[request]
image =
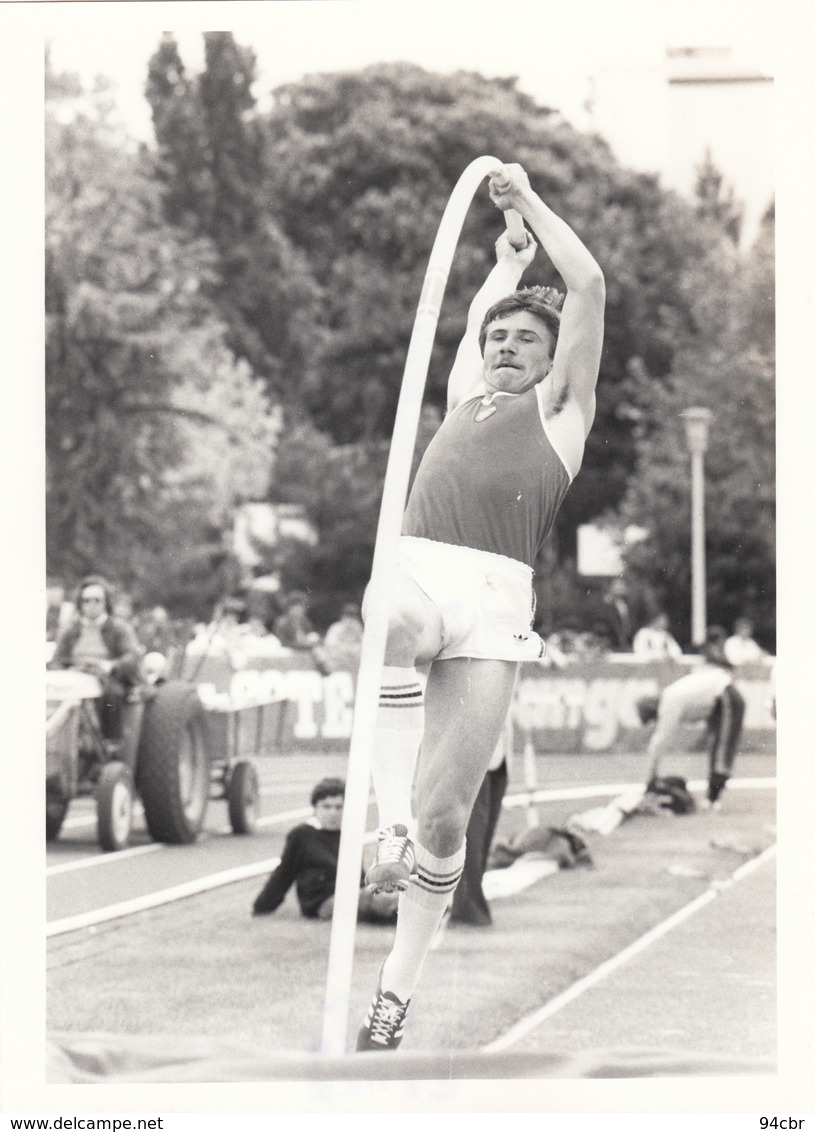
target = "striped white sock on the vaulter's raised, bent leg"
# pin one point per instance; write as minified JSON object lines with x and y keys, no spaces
{"x":398,"y":736}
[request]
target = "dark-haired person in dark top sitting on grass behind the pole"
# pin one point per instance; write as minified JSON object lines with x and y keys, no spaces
{"x":310,"y":862}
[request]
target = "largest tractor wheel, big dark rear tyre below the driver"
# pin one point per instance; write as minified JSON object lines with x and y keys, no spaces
{"x":174,"y":766}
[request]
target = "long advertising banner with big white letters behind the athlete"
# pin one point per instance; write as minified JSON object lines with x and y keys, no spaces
{"x":282,"y":704}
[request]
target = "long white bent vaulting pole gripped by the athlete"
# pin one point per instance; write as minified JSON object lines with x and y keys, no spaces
{"x":378,"y":604}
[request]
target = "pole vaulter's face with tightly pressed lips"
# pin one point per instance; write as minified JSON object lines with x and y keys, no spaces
{"x":518,"y":353}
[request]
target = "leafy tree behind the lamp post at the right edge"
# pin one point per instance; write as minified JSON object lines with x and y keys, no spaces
{"x":726,"y":366}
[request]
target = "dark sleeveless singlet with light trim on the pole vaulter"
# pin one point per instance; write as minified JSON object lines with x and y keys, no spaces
{"x":495,"y":485}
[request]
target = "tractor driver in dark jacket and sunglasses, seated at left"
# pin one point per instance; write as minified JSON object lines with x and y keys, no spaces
{"x":98,"y":642}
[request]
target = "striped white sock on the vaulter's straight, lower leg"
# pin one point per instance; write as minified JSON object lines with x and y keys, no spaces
{"x":422,"y":908}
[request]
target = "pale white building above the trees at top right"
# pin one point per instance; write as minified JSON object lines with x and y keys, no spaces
{"x":665,"y":119}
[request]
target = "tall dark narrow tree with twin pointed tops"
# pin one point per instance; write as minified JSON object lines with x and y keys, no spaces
{"x":212,"y":161}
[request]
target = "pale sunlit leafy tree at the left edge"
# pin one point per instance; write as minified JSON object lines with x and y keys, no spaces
{"x":138,"y":371}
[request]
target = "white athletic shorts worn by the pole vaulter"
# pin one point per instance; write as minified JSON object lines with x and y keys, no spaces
{"x":486,"y":601}
